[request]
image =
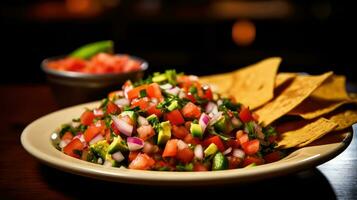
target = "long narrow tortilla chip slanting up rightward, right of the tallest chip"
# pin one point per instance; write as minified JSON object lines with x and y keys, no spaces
{"x":290,"y":97}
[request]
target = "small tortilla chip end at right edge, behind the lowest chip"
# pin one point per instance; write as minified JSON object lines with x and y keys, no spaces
{"x":344,"y":119}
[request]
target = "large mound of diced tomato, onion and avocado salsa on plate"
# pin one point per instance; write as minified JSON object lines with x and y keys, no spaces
{"x":169,"y":122}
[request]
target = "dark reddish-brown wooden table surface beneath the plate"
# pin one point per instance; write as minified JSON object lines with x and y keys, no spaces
{"x":23,"y":177}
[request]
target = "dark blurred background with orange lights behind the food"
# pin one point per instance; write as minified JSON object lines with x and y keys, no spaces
{"x":200,"y":37}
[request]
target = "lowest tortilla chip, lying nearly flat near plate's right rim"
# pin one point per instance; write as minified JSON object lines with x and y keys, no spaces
{"x":307,"y":134}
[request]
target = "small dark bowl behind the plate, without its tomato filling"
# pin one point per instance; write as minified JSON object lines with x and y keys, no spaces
{"x":71,"y":88}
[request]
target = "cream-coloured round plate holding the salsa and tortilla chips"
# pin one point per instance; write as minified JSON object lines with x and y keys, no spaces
{"x":36,"y":140}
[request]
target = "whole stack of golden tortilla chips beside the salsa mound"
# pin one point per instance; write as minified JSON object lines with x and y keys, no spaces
{"x":319,"y":102}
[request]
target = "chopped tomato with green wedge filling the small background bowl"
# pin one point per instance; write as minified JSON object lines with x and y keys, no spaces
{"x":95,"y":58}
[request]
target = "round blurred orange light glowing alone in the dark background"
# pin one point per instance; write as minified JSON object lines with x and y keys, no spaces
{"x":243,"y":32}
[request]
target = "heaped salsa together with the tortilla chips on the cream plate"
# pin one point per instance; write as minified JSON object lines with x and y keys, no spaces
{"x":175,"y":122}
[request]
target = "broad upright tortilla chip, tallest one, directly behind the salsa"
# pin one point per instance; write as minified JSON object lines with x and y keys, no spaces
{"x":254,"y":85}
